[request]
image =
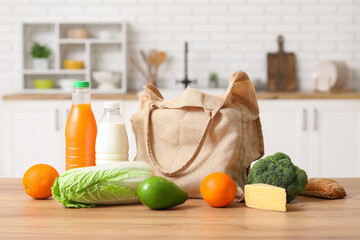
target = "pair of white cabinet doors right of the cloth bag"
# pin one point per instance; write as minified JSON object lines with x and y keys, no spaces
{"x":320,"y":136}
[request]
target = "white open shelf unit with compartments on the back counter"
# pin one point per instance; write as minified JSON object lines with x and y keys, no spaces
{"x":104,"y":50}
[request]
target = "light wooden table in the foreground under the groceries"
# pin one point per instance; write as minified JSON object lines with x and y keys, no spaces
{"x":22,"y":217}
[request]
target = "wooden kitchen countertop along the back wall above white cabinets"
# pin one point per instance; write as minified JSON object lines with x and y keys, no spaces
{"x":134,"y":96}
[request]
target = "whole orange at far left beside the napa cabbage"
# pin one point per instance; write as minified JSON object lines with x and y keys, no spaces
{"x":39,"y":179}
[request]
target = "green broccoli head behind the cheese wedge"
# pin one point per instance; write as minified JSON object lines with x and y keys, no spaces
{"x":278,"y":170}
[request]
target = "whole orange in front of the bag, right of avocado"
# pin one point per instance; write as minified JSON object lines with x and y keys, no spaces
{"x":218,"y":189}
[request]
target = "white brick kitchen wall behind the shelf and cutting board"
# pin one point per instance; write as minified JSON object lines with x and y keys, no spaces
{"x":223,"y":35}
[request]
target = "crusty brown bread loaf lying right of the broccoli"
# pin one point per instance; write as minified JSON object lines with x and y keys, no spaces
{"x":324,"y":188}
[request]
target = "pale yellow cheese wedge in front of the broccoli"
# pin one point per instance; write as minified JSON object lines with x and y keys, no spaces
{"x":264,"y":196}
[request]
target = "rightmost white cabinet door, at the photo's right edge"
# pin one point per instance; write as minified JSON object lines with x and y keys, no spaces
{"x":336,"y":138}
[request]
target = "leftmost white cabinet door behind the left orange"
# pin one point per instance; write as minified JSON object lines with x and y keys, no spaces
{"x":32,"y":135}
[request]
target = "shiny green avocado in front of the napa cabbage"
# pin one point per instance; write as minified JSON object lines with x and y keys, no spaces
{"x":159,"y":193}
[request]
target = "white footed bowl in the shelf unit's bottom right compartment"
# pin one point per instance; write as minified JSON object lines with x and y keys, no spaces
{"x":106,"y":79}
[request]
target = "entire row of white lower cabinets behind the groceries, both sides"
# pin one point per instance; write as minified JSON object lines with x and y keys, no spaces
{"x":321,"y":136}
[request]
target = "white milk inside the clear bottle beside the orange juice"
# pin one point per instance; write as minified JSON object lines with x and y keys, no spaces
{"x":111,"y":143}
